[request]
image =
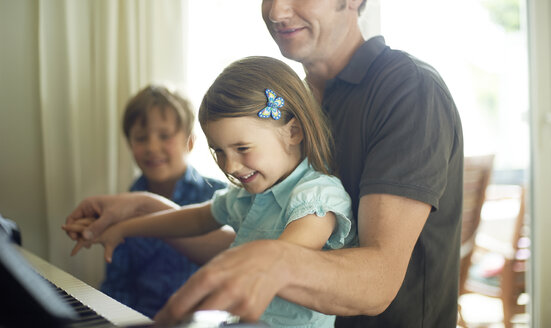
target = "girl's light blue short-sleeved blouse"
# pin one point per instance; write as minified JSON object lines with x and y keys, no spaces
{"x":265,"y":216}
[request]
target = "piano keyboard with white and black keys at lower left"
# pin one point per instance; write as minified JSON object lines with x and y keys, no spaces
{"x":95,"y":309}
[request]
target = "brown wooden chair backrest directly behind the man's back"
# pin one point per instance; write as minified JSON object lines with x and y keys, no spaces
{"x":476,"y":176}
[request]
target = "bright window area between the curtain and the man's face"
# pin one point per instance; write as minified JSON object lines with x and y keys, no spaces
{"x":220,"y":32}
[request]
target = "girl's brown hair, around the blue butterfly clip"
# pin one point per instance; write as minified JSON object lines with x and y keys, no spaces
{"x":240,"y":91}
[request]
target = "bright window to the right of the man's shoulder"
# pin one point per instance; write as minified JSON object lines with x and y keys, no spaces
{"x":480,"y":49}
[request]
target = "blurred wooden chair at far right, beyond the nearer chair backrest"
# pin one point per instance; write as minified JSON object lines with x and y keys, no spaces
{"x":506,"y":279}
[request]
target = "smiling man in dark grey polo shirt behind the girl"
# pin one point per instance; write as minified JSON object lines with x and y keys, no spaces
{"x":400,"y":154}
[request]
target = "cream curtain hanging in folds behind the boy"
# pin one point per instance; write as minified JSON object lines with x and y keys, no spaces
{"x":94,"y":54}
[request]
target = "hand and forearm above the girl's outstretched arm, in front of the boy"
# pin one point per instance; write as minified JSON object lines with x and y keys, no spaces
{"x":110,"y":209}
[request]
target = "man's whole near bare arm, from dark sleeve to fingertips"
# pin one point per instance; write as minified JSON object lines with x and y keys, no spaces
{"x":351,"y":281}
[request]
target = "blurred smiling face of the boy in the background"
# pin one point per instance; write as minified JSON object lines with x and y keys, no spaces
{"x":159,"y":148}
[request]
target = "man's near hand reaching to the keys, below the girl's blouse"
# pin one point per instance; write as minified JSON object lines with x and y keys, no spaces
{"x":242,"y":280}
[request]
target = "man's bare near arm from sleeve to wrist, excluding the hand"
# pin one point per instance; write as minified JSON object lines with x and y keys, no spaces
{"x":366,"y":279}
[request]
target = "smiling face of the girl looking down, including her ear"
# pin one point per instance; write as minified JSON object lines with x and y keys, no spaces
{"x":255,"y":151}
